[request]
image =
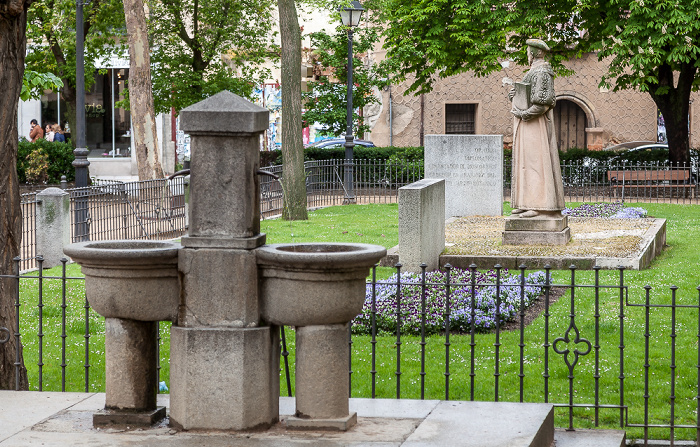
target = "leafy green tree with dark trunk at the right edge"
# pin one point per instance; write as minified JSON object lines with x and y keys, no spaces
{"x":654,"y":47}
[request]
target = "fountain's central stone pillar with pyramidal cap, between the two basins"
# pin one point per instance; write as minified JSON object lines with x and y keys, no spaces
{"x":224,"y":363}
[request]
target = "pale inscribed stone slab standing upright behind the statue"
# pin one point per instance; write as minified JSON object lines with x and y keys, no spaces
{"x":472,"y":166}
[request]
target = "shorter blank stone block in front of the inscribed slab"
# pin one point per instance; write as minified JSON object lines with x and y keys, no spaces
{"x":421,"y":224}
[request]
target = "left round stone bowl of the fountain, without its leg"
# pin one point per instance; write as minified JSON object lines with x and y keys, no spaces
{"x":133,"y":280}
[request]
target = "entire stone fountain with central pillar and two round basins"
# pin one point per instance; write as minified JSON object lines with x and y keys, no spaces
{"x":226,"y":292}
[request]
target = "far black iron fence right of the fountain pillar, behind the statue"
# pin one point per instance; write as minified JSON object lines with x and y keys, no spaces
{"x":378,"y":181}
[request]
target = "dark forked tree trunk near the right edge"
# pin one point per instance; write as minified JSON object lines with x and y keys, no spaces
{"x":674,"y":105}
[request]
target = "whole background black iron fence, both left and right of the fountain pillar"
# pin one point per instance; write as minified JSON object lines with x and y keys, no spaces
{"x":156,"y":209}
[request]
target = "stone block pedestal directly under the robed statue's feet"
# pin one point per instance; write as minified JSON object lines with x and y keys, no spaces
{"x":539,"y":230}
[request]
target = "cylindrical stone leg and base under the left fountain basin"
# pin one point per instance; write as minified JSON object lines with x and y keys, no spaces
{"x":131,"y":374}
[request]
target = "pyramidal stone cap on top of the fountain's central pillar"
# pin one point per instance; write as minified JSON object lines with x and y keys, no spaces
{"x":224,"y":113}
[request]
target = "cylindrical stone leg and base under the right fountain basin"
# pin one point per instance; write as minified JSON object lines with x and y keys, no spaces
{"x":322,"y":391}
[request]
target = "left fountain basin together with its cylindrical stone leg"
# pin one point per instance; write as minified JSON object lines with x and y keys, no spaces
{"x":134,"y":285}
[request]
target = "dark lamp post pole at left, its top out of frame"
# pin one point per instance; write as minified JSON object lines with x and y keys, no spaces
{"x":81,"y":162}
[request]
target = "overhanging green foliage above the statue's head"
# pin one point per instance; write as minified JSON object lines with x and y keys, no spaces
{"x":429,"y":40}
